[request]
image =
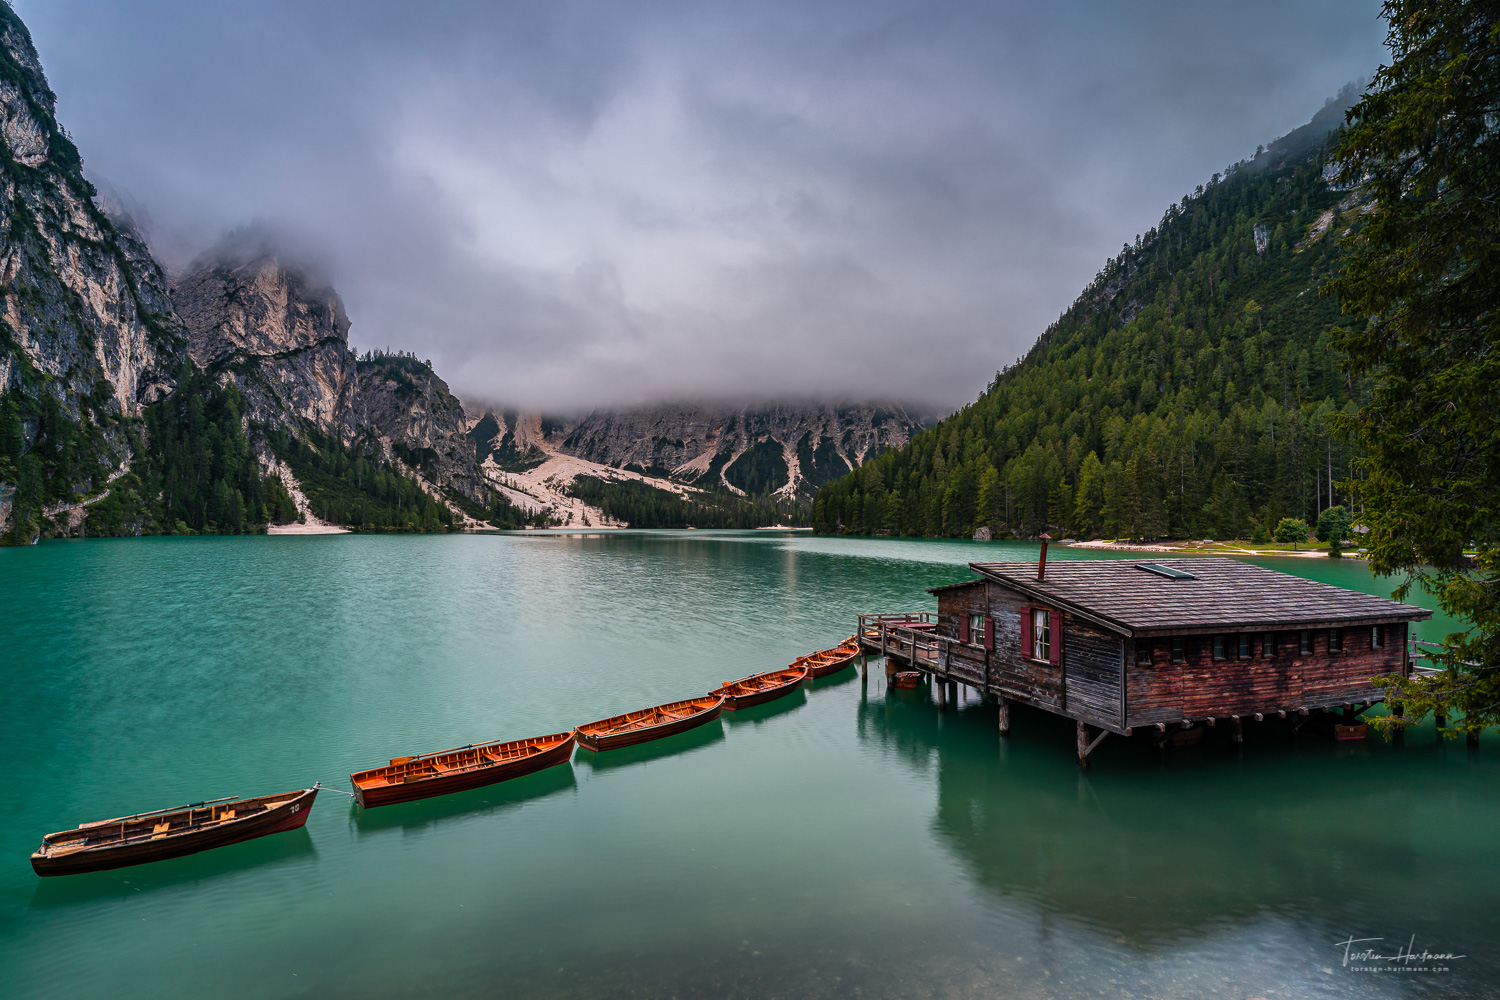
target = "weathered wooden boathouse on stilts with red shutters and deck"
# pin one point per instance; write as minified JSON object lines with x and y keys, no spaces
{"x":1165,"y":645}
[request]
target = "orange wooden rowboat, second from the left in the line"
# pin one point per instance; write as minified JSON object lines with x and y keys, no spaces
{"x":424,"y":776}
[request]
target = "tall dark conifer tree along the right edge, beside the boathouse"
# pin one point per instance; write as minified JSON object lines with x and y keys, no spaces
{"x":1423,"y":275}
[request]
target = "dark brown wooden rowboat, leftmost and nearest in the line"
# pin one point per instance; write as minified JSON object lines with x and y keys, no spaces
{"x":173,"y":833}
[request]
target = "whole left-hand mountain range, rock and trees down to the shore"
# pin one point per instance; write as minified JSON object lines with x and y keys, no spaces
{"x":145,"y":406}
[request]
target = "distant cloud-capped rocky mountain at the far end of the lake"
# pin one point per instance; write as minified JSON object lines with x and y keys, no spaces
{"x":778,"y":449}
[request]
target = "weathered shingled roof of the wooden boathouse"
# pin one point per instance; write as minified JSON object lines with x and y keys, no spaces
{"x":1222,"y":594}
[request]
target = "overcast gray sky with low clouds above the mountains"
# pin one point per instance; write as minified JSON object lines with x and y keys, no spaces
{"x":572,"y":205}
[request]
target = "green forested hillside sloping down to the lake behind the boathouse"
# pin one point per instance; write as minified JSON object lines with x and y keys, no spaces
{"x":1186,"y":394}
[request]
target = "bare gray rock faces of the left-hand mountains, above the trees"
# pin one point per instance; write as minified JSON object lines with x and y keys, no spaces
{"x":91,"y":323}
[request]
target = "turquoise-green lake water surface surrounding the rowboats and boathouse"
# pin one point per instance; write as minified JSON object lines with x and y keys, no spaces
{"x":848,"y":842}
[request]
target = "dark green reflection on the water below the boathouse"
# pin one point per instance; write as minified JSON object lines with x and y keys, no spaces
{"x":1157,"y":851}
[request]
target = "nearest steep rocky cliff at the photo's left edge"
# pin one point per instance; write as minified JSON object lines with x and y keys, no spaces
{"x":88,"y":332}
